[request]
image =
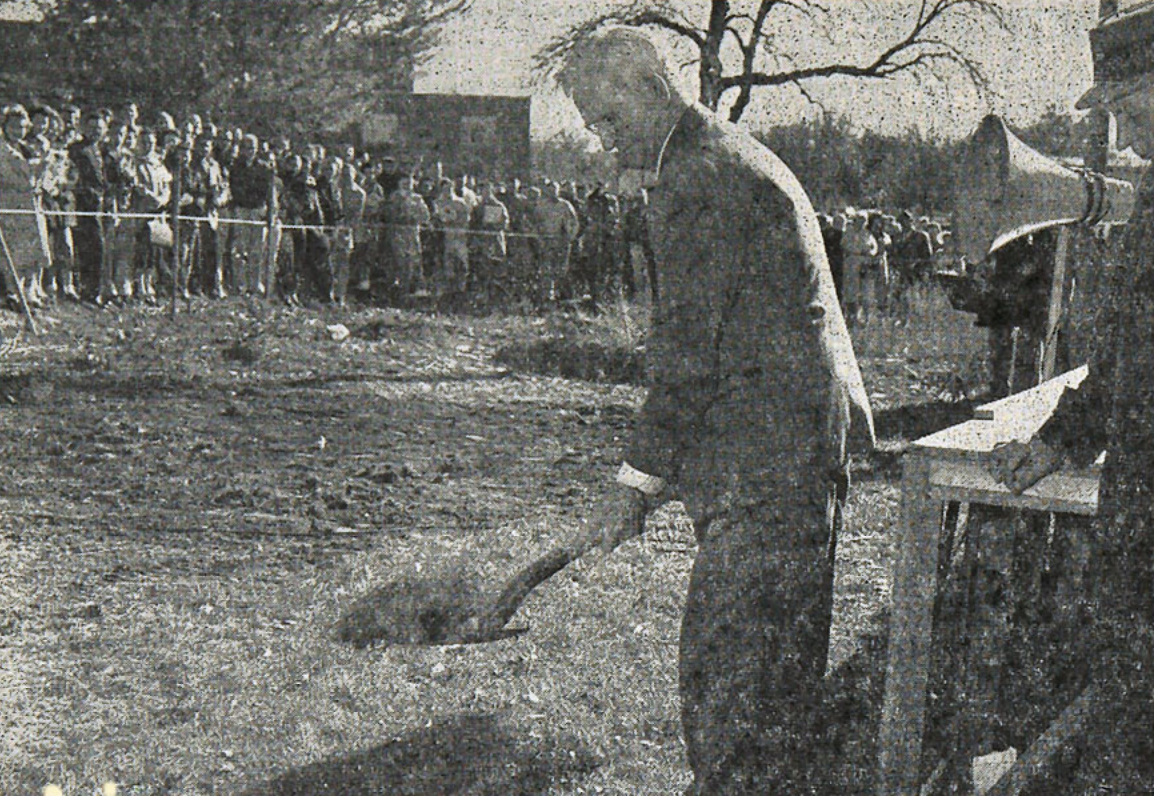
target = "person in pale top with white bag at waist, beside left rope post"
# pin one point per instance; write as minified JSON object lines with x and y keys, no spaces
{"x":153,"y":194}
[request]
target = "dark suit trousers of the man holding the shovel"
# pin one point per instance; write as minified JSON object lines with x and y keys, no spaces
{"x":754,"y":645}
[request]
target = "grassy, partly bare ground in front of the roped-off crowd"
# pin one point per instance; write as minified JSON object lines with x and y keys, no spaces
{"x":188,"y":508}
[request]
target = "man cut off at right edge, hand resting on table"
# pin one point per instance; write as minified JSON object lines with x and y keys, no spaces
{"x":1114,"y":411}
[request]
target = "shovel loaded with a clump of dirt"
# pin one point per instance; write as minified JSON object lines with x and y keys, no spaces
{"x":451,"y":607}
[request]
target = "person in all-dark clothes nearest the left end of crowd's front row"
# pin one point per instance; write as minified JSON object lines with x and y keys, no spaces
{"x":93,"y":197}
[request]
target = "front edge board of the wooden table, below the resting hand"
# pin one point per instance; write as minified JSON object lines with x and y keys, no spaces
{"x":1067,"y":492}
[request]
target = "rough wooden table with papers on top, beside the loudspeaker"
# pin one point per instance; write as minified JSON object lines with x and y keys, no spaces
{"x":953,"y":465}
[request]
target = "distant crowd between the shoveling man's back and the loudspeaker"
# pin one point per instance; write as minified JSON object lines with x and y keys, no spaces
{"x":878,"y":258}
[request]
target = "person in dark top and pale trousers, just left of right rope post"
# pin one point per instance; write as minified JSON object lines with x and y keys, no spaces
{"x":251,"y":185}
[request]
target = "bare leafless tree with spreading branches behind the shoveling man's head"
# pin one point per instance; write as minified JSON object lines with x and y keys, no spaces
{"x":925,"y":47}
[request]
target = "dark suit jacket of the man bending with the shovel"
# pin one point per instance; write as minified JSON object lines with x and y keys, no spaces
{"x":753,"y":373}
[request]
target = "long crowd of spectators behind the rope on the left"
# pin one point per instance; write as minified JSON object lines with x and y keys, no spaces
{"x":88,"y":199}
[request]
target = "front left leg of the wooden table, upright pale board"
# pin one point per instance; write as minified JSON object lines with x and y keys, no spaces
{"x":911,"y":633}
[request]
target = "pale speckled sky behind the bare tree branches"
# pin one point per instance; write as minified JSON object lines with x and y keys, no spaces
{"x":1041,"y":63}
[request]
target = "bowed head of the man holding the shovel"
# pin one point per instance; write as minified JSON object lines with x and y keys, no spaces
{"x":625,"y":93}
